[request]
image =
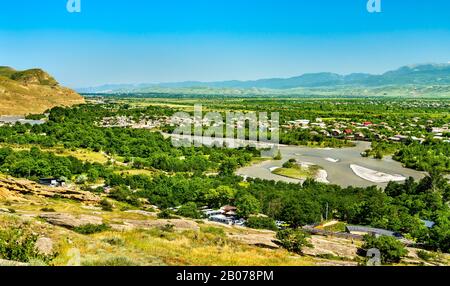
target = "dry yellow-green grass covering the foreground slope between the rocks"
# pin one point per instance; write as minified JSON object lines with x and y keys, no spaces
{"x":207,"y":246}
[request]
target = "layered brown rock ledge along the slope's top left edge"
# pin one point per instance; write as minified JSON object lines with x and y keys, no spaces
{"x":11,"y":187}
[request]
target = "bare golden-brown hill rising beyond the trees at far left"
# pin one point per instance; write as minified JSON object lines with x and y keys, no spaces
{"x":32,"y":91}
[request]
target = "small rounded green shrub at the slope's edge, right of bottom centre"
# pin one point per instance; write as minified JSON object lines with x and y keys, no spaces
{"x":293,"y":240}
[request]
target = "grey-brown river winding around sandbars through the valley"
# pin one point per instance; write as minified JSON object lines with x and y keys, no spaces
{"x":337,"y":162}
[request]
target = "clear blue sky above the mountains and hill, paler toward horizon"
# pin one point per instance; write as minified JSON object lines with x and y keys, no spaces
{"x":138,"y":41}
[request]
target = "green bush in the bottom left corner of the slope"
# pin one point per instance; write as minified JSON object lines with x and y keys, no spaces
{"x":18,"y":244}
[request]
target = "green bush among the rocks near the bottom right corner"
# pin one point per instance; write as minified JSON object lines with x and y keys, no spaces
{"x":391,"y":250}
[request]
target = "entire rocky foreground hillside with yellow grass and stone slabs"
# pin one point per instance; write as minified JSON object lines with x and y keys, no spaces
{"x":68,"y":226}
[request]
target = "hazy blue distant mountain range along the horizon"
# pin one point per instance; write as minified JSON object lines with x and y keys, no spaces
{"x":425,"y":74}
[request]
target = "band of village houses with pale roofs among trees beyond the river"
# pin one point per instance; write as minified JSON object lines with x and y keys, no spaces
{"x":415,"y":129}
